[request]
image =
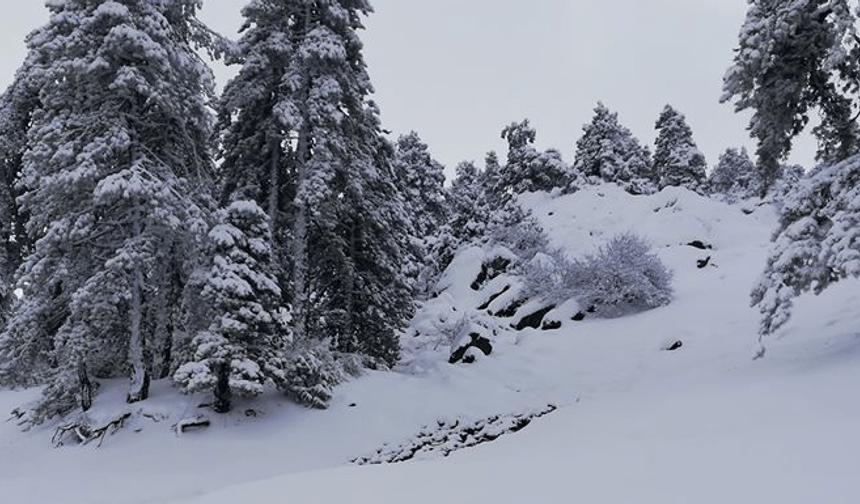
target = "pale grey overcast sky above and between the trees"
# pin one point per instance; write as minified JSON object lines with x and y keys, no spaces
{"x":457,"y":71}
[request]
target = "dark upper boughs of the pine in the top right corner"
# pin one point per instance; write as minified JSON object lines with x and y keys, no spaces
{"x":794,"y":57}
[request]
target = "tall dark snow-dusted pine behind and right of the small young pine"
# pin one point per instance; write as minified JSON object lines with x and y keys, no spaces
{"x":302,"y":139}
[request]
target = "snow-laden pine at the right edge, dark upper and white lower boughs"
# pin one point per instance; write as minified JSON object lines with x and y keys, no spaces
{"x":795,"y":57}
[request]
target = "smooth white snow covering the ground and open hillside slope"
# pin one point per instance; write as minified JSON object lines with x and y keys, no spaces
{"x":635,"y":423}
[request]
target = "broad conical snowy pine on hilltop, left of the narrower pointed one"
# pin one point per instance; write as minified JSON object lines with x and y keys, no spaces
{"x":607,"y":151}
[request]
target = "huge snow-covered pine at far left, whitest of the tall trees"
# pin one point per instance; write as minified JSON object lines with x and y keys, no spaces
{"x":116,"y":176}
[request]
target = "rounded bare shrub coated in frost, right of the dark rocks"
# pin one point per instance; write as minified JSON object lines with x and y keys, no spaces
{"x":622,"y":277}
